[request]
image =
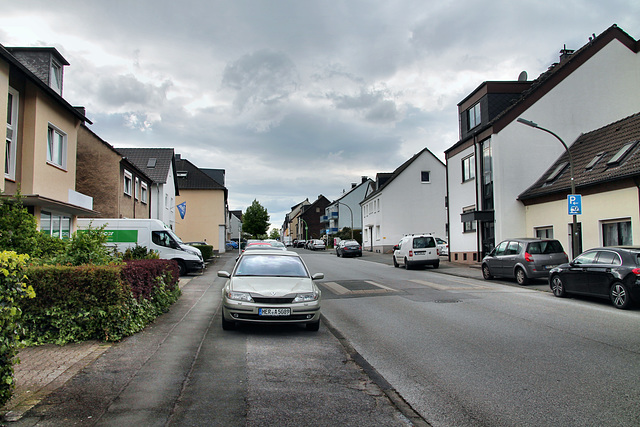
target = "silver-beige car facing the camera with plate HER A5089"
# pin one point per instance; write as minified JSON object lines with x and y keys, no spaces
{"x":270,"y":286}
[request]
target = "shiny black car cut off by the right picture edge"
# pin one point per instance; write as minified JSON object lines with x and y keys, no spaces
{"x":608,"y":272}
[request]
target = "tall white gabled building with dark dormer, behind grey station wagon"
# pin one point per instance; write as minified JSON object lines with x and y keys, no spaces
{"x":497,"y":158}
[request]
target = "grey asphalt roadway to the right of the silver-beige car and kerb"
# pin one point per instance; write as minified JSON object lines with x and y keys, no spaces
{"x":466,"y":352}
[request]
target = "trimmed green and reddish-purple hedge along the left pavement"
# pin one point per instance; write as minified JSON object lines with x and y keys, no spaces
{"x":105,"y":303}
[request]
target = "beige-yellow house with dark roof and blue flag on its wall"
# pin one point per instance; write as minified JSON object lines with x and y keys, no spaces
{"x":203,"y":216}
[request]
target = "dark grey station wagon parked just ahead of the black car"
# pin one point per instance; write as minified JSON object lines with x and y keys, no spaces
{"x":523,"y":259}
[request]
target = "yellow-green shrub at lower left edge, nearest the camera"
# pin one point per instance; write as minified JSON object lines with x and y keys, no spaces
{"x":12,"y":289}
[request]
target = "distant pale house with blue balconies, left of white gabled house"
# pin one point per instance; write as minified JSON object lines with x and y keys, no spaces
{"x":345,"y":211}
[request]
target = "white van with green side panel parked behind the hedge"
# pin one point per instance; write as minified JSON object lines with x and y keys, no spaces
{"x":152,"y":233}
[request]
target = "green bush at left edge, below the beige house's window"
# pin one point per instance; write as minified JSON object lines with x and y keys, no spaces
{"x":18,"y":228}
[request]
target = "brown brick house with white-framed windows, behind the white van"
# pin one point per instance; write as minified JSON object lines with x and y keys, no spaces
{"x":119,"y":189}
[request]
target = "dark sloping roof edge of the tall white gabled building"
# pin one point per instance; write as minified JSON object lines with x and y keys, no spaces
{"x":554,"y":75}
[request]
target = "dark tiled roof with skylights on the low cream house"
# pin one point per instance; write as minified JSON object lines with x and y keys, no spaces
{"x":607,"y":142}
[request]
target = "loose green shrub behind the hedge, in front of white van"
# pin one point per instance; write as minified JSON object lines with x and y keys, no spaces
{"x":87,"y":247}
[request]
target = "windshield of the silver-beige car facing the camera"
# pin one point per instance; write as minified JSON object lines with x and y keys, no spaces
{"x":271,"y":265}
